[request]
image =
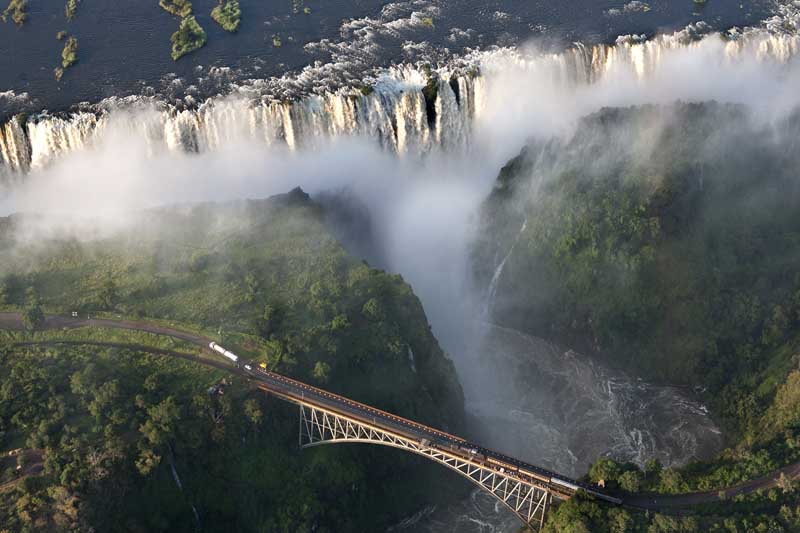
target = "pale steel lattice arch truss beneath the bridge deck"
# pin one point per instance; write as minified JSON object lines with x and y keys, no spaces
{"x":529,"y":501}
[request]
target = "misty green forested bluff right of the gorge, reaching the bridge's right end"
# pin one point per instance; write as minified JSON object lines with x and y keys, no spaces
{"x":665,"y":241}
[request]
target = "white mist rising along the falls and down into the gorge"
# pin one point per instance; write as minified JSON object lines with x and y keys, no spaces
{"x":423,"y":207}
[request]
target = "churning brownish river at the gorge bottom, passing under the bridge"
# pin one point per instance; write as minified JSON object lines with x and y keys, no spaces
{"x":559,"y":409}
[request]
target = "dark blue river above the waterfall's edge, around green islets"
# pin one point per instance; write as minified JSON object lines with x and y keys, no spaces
{"x":124,"y":46}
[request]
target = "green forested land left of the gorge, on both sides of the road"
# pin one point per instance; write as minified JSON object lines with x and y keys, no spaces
{"x":109,"y":438}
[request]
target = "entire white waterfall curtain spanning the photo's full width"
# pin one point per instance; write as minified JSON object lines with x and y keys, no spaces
{"x":394,"y":112}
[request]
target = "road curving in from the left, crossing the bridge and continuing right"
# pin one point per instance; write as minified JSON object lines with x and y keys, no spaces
{"x":295,"y":389}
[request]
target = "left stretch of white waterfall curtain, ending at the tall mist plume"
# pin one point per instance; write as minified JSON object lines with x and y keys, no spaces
{"x":394,"y":113}
